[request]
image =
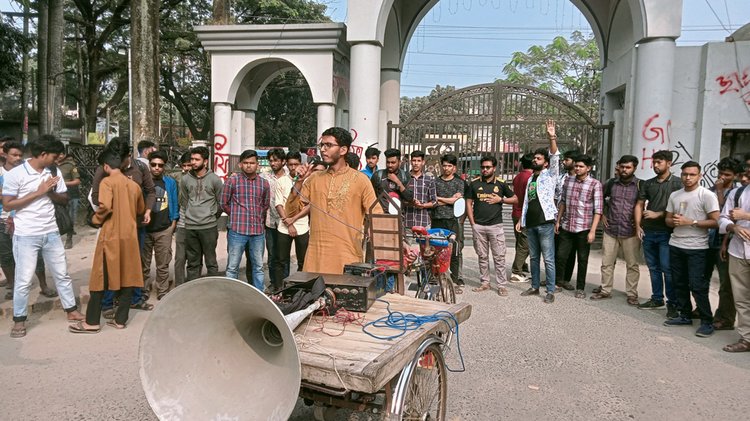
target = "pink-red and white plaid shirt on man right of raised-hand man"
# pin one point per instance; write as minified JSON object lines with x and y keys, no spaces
{"x":582,"y":199}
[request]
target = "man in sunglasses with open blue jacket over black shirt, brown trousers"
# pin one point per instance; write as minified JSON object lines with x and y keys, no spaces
{"x":164,"y":215}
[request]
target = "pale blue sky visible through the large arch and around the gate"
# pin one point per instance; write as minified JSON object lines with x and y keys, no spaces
{"x":467,"y":42}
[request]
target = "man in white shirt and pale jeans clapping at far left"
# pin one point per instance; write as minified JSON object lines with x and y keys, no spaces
{"x":30,"y":190}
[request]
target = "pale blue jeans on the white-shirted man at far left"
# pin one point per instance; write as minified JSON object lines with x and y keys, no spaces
{"x":25,"y":251}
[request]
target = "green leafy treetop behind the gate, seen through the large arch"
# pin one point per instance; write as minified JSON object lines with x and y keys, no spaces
{"x":567,"y":68}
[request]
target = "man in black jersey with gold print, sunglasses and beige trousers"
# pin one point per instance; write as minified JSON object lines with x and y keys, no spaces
{"x":485,"y":208}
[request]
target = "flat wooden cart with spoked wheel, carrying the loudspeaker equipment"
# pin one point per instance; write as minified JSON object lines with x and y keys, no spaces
{"x":401,"y":378}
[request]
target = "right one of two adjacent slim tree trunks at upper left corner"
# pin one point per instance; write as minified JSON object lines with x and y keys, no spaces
{"x":55,"y":75}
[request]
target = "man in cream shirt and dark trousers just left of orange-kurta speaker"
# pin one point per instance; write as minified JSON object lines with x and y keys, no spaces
{"x":291,"y":228}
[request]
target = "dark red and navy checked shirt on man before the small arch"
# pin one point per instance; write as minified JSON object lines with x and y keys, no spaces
{"x":246,"y":201}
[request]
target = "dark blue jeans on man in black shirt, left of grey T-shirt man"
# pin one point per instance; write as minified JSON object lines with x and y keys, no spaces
{"x":656,"y":251}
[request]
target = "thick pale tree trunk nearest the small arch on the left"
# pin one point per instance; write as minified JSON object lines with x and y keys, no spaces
{"x":144,"y":36}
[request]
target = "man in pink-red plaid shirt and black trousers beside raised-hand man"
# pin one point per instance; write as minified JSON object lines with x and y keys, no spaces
{"x":578,"y":215}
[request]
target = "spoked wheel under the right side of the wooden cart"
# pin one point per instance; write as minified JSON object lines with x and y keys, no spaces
{"x":422,"y":389}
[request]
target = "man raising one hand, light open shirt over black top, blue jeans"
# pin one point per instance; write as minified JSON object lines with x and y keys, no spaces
{"x":539,"y":214}
